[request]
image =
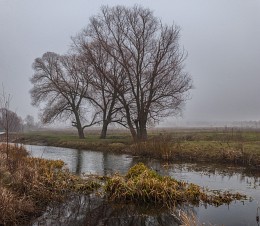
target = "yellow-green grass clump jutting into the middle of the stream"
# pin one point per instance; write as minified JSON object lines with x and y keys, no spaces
{"x":143,"y":185}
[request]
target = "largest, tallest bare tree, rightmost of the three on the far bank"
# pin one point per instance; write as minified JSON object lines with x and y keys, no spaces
{"x":148,"y":52}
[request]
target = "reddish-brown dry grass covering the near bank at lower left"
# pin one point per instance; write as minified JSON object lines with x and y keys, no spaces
{"x":28,"y":184}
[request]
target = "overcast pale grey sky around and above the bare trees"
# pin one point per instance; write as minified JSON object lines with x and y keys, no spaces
{"x":222,"y":38}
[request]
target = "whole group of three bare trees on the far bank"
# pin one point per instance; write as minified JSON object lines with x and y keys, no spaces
{"x":125,"y":67}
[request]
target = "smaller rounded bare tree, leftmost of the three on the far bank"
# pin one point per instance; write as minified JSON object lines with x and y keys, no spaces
{"x":61,"y":83}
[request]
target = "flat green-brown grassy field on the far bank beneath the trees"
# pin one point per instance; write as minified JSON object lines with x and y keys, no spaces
{"x":230,"y":145}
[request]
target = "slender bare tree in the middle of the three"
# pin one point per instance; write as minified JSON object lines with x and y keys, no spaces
{"x":104,"y":83}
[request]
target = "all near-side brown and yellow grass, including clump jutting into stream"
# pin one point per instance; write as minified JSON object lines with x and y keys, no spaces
{"x":42,"y":181}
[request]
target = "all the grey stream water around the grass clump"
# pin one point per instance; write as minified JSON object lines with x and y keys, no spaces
{"x":90,"y":210}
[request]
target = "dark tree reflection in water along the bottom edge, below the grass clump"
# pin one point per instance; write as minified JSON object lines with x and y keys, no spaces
{"x":92,"y":211}
